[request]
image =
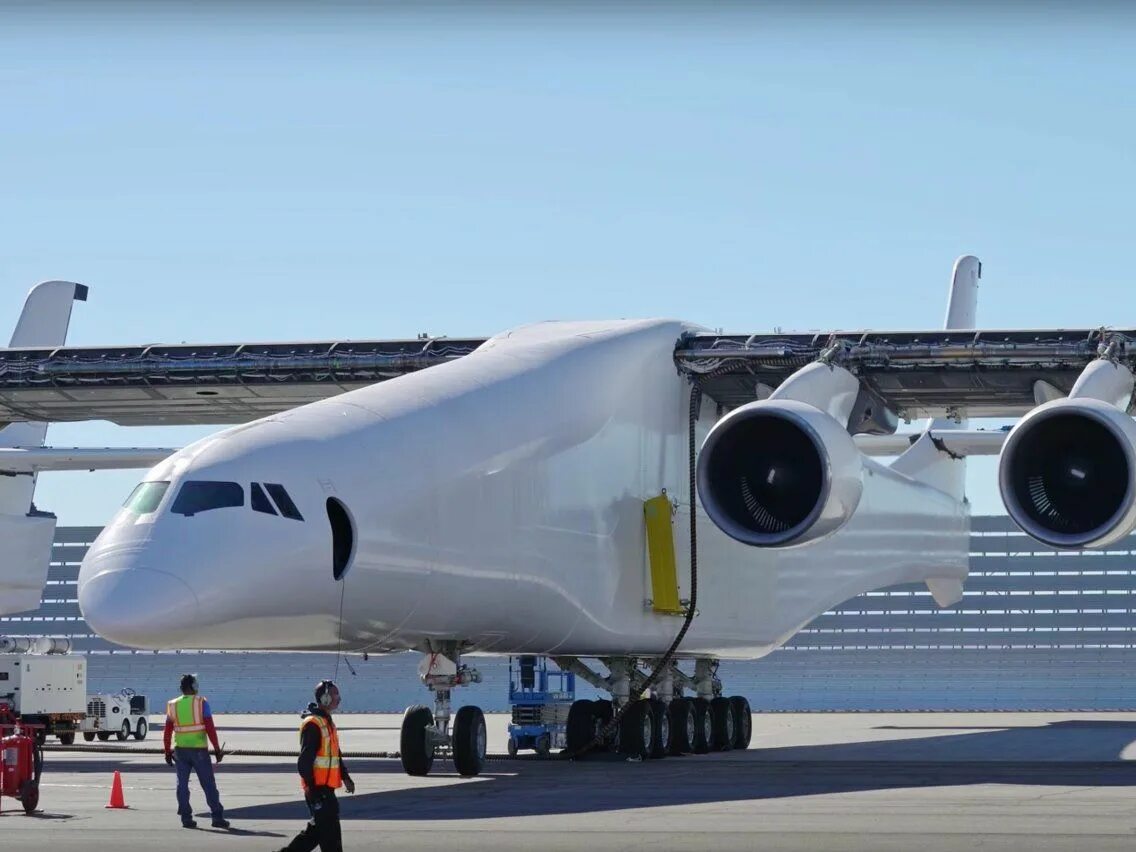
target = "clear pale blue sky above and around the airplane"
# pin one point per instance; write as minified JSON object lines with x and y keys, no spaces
{"x":278,"y":172}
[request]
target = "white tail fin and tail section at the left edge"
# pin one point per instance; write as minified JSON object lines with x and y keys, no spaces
{"x":27,"y":534}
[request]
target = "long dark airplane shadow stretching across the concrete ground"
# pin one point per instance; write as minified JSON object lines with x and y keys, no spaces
{"x":1067,"y":754}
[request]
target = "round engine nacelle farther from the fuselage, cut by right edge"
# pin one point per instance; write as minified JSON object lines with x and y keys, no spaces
{"x":1066,"y":474}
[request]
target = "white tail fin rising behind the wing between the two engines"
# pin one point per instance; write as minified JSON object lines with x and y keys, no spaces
{"x":928,"y":461}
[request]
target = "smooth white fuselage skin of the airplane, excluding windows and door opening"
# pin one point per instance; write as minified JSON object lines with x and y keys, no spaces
{"x":497,"y":500}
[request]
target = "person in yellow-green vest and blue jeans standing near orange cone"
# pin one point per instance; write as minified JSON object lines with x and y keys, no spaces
{"x":189,"y":723}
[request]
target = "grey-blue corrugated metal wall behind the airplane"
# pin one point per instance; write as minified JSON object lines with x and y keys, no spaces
{"x":1037,"y":630}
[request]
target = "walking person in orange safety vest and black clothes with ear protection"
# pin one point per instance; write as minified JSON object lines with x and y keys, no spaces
{"x":322,"y":773}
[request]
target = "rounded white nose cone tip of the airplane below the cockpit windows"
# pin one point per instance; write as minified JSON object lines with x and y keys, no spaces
{"x":139,"y":607}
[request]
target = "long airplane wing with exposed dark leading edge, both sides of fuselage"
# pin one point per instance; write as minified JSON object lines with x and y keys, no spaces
{"x":904,"y":375}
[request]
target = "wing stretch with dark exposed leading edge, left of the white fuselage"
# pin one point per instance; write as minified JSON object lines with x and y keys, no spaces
{"x":202,"y":383}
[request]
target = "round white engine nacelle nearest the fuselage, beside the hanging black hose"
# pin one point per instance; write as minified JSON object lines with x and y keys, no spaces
{"x":780,"y":472}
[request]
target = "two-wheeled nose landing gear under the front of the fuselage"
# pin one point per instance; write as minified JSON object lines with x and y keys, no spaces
{"x":427,"y":733}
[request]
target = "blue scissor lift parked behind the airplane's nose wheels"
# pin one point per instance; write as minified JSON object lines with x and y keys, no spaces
{"x":540,"y":701}
